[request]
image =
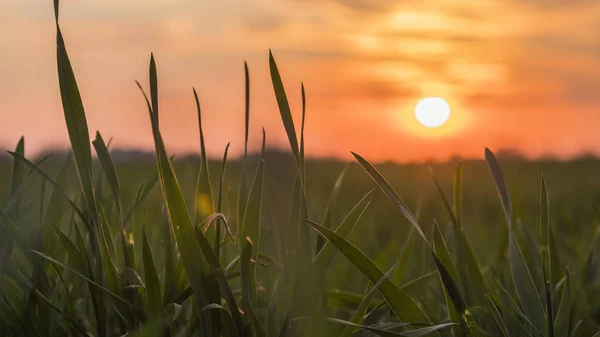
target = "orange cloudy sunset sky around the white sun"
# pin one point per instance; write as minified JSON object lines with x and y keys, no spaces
{"x":518,"y":74}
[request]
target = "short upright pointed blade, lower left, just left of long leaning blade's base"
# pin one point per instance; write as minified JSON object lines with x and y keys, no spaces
{"x":153,"y":293}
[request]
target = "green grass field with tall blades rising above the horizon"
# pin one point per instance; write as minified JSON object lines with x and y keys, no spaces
{"x":278,"y":252}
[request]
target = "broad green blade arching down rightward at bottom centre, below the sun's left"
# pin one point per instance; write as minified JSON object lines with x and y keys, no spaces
{"x":405,"y":308}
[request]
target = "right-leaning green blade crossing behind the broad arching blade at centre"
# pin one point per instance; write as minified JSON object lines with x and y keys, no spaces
{"x":326,"y":254}
